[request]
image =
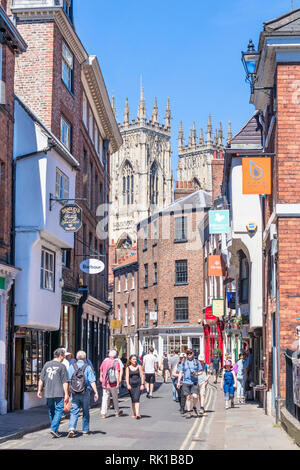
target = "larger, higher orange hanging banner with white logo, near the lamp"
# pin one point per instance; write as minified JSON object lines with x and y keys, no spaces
{"x":257,"y":176}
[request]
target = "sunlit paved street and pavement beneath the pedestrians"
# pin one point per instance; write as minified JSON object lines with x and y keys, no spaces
{"x":162,"y":428}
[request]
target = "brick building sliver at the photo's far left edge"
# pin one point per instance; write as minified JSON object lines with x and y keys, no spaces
{"x":11,"y":44}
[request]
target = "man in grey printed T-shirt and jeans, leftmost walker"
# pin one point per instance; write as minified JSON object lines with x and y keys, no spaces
{"x":54,"y":377}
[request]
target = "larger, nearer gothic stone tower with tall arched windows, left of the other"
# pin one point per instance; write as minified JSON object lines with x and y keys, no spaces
{"x":140,"y":173}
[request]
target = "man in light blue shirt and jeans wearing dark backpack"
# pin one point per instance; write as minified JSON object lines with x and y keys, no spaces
{"x":82,"y":381}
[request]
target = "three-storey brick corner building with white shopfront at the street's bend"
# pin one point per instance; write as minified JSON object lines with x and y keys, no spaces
{"x":170,"y":281}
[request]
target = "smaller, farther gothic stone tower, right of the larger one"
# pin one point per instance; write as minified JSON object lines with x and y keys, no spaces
{"x":197,"y":159}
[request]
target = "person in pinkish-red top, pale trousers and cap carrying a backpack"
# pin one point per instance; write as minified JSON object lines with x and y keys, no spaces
{"x":110,"y":377}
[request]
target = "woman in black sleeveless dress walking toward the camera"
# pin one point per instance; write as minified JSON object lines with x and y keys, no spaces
{"x":135,"y":381}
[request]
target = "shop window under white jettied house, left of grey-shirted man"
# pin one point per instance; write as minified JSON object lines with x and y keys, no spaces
{"x":36,"y":355}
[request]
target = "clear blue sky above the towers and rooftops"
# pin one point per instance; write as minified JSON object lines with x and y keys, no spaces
{"x":189,"y":51}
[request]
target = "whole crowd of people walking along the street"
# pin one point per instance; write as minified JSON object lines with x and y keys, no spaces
{"x":67,"y":383}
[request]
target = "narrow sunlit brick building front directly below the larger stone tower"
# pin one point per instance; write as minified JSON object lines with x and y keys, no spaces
{"x":125,"y":305}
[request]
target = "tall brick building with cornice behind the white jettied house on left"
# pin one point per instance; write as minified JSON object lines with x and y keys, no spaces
{"x":64,"y":88}
